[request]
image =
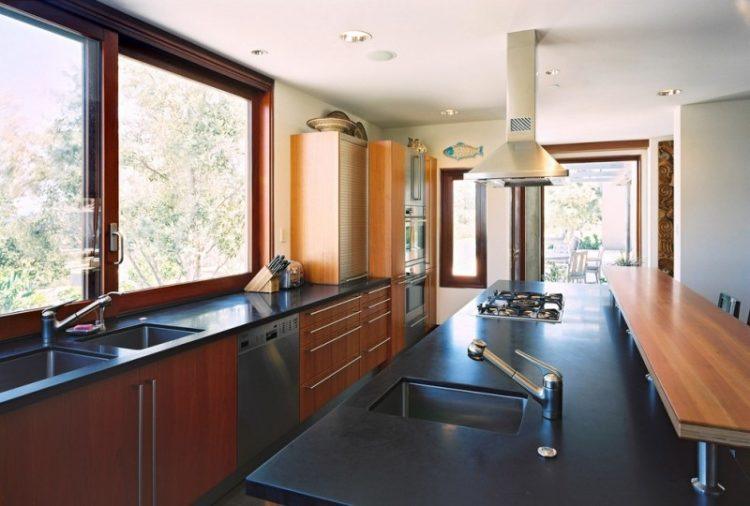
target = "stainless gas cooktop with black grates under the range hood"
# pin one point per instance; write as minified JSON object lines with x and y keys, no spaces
{"x":525,"y":306}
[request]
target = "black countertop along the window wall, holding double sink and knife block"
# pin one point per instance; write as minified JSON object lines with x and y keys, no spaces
{"x":215,"y":317}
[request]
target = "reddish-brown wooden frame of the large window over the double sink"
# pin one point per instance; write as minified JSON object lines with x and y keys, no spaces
{"x":120,"y":33}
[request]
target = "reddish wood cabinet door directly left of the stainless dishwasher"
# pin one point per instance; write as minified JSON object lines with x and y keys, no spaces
{"x":191,"y":414}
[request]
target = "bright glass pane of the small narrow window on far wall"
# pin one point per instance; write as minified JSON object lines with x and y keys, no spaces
{"x":464,"y":228}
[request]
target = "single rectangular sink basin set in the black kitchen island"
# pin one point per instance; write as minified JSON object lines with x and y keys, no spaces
{"x":454,"y":404}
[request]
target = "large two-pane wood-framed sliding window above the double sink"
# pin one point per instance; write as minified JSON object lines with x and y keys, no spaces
{"x":136,"y":162}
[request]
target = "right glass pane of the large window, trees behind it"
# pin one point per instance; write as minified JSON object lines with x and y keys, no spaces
{"x":183,"y":178}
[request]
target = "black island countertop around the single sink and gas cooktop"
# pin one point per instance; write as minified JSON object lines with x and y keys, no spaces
{"x":616,"y":444}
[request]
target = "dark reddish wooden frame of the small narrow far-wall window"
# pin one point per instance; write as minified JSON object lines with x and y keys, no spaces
{"x":447,"y":278}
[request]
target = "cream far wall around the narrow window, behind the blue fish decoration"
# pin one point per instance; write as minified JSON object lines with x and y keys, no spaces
{"x":489,"y":134}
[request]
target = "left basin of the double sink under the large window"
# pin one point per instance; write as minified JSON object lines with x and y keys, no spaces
{"x":38,"y":365}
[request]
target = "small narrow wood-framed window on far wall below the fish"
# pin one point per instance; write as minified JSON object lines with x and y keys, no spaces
{"x":462,"y":231}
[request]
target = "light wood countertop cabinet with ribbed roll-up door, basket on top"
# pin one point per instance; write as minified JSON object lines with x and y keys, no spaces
{"x":329,"y":206}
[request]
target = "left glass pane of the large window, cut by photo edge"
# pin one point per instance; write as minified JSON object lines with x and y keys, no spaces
{"x":48,"y":237}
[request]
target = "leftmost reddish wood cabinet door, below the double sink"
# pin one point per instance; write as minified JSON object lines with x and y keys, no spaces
{"x":78,"y":447}
